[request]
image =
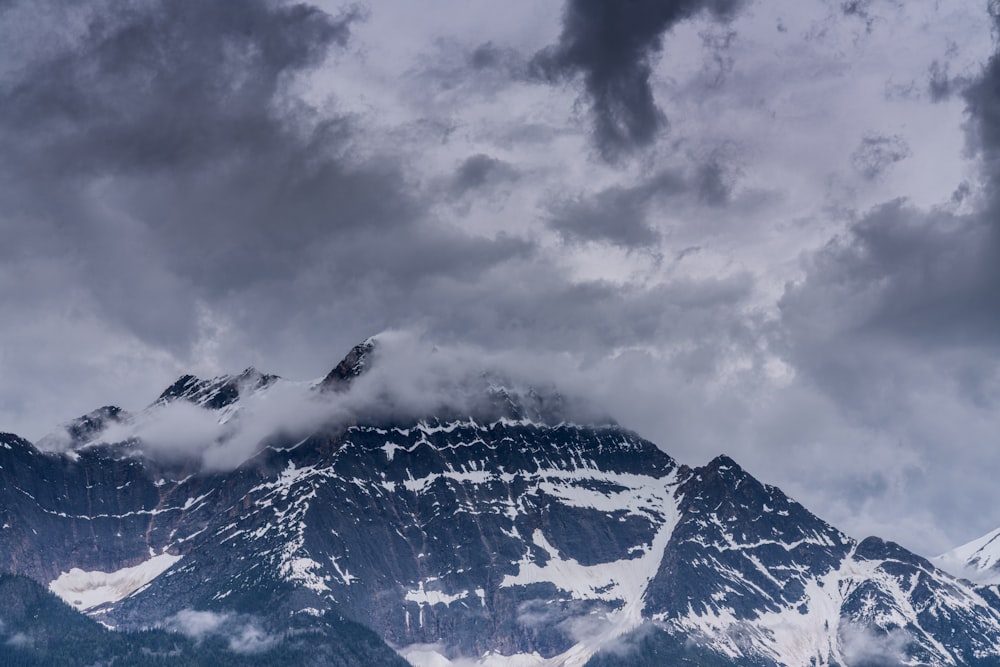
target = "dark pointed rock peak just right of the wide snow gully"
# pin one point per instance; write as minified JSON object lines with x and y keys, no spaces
{"x":732,"y":546}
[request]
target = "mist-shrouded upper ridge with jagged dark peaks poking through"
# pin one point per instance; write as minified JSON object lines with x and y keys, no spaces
{"x":396,"y":377}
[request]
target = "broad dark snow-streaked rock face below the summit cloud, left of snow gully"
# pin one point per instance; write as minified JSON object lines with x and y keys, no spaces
{"x":413,"y":532}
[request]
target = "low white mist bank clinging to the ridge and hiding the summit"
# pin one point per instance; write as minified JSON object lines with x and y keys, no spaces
{"x":407,"y":378}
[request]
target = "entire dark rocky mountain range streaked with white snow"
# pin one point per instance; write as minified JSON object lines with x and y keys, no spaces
{"x":503,"y":538}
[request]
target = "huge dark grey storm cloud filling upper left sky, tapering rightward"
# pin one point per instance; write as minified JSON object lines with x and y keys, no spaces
{"x":162,"y":156}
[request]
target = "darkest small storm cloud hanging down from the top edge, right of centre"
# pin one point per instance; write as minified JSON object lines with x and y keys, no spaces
{"x":612,"y":44}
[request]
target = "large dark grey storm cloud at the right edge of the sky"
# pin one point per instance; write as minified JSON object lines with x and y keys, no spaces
{"x":905,"y":287}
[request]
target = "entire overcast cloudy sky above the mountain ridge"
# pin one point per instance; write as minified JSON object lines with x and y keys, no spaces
{"x":761,"y":228}
